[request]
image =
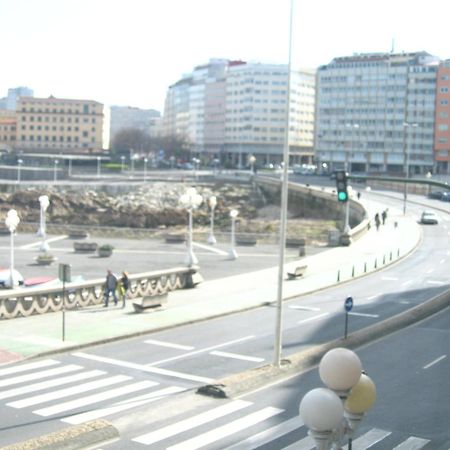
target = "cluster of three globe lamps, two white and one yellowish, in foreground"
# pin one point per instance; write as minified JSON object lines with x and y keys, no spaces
{"x":334,"y":413}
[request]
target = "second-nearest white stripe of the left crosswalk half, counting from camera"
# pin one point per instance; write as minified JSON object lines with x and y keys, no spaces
{"x":95,"y":398}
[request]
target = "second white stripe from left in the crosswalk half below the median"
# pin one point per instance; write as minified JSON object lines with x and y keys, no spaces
{"x":226,"y":430}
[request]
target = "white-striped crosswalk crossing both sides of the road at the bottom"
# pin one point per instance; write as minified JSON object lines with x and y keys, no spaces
{"x":74,"y":394}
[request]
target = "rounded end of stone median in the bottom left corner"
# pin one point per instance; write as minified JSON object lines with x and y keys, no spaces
{"x":78,"y":437}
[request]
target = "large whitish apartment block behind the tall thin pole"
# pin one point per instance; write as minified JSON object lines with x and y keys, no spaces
{"x":232,"y":109}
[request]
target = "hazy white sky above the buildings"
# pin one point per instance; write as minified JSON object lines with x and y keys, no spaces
{"x":127,"y":52}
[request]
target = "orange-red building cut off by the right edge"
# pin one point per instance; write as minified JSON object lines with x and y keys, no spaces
{"x":442,"y":119}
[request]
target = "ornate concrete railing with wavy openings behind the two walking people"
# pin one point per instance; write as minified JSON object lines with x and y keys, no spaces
{"x":40,"y":300}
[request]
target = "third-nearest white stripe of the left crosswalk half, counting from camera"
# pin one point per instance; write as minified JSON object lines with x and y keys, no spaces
{"x":67,"y":392}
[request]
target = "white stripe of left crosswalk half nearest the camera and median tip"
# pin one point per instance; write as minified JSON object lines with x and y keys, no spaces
{"x":123,"y":406}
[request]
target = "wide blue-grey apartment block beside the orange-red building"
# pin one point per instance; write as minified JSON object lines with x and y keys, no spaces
{"x":375,"y":113}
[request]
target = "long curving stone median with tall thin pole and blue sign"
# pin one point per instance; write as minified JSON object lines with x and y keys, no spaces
{"x":295,"y":364}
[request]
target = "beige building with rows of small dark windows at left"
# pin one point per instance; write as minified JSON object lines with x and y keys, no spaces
{"x":59,"y":125}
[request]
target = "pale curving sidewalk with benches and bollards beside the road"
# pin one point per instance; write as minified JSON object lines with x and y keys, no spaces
{"x":42,"y":334}
